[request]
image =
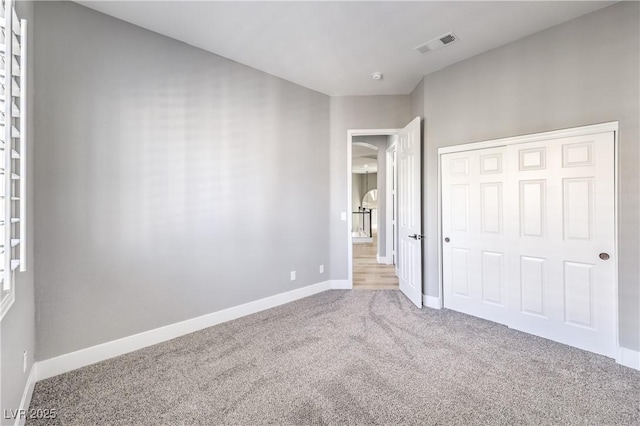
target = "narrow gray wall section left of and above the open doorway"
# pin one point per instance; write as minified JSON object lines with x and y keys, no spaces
{"x":354,"y":112}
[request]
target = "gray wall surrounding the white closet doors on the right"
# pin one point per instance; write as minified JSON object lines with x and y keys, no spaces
{"x":582,"y":72}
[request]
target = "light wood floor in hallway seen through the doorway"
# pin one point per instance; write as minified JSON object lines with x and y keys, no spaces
{"x":368,"y":274}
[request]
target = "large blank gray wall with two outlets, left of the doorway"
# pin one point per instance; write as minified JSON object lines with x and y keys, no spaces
{"x":171,"y":182}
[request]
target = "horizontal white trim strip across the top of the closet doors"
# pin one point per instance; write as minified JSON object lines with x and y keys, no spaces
{"x":611,"y":126}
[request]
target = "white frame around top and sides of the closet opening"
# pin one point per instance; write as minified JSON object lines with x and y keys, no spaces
{"x":611,"y":126}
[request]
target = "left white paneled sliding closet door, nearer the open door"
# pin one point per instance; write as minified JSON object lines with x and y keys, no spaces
{"x":473,"y":185}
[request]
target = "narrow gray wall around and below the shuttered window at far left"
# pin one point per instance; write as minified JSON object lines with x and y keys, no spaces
{"x":17,"y":333}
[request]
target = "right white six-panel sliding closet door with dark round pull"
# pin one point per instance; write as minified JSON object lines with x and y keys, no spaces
{"x":560,"y":219}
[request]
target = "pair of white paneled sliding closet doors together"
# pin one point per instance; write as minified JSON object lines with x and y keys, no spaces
{"x":529,"y":238}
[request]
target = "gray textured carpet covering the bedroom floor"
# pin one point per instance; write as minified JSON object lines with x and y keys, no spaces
{"x":348,"y":357}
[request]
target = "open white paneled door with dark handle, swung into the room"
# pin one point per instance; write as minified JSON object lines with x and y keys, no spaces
{"x":410,"y":212}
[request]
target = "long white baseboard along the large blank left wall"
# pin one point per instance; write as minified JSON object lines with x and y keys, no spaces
{"x":74,"y":360}
